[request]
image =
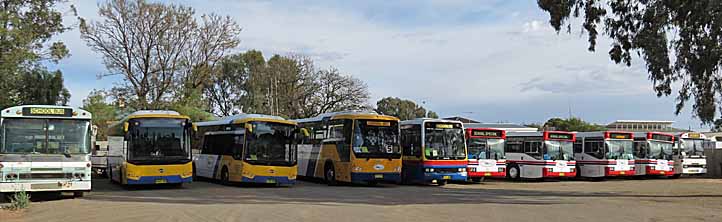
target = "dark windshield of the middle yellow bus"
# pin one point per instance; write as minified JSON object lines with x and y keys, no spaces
{"x":271,"y":144}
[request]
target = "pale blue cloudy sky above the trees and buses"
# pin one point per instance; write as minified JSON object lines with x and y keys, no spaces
{"x":490,"y":60}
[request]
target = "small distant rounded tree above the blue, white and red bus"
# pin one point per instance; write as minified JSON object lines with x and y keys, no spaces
{"x":403,"y":109}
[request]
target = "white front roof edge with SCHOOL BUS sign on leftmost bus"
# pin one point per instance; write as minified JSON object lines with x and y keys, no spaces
{"x":25,"y":112}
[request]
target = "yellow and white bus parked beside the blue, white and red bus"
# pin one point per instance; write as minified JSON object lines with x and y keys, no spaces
{"x":352,"y":147}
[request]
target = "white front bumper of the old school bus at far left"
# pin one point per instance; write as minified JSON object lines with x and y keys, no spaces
{"x":36,"y":186}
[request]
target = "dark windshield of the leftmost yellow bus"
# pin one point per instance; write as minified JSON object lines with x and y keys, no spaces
{"x":158,"y":139}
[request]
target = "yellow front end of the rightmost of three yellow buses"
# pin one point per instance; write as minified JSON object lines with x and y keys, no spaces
{"x":376,"y":151}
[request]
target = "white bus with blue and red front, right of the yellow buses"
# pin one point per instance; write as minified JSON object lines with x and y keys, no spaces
{"x":434,"y":151}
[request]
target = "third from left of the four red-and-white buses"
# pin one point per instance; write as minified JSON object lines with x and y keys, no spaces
{"x":604,"y":154}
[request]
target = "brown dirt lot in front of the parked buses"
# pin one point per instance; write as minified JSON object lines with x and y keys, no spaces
{"x":684,"y":199}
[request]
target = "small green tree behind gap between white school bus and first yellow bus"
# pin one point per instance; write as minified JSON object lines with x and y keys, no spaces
{"x":103,"y":112}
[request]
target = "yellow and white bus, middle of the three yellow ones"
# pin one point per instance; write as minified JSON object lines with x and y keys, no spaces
{"x":247,"y":148}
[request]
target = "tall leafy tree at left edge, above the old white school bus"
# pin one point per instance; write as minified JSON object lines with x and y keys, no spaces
{"x":25,"y":29}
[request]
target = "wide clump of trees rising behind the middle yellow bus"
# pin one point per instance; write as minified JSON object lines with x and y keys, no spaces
{"x":287,"y":86}
